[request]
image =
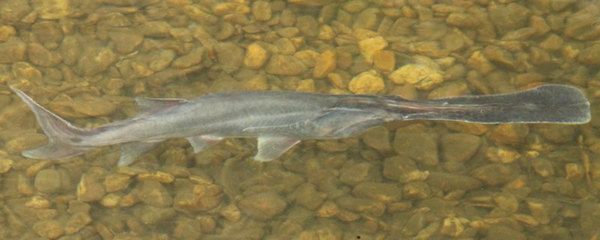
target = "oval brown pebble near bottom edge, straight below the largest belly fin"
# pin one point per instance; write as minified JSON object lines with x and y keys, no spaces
{"x":263,"y":206}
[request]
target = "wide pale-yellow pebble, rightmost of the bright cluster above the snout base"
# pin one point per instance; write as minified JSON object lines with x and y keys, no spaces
{"x":421,"y":76}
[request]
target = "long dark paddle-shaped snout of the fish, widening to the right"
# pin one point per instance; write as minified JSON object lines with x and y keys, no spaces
{"x":551,"y":103}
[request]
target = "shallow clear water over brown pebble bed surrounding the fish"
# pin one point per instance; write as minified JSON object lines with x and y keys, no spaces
{"x":86,"y":60}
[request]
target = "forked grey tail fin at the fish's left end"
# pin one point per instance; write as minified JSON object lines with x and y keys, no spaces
{"x":62,"y":135}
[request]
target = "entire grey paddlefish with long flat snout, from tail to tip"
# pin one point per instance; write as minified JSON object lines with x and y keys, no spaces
{"x":282,"y":119}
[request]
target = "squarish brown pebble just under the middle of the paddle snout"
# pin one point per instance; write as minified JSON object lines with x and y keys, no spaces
{"x":459,"y":147}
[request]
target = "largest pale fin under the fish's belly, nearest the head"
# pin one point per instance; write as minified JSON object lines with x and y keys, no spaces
{"x":270,"y":148}
